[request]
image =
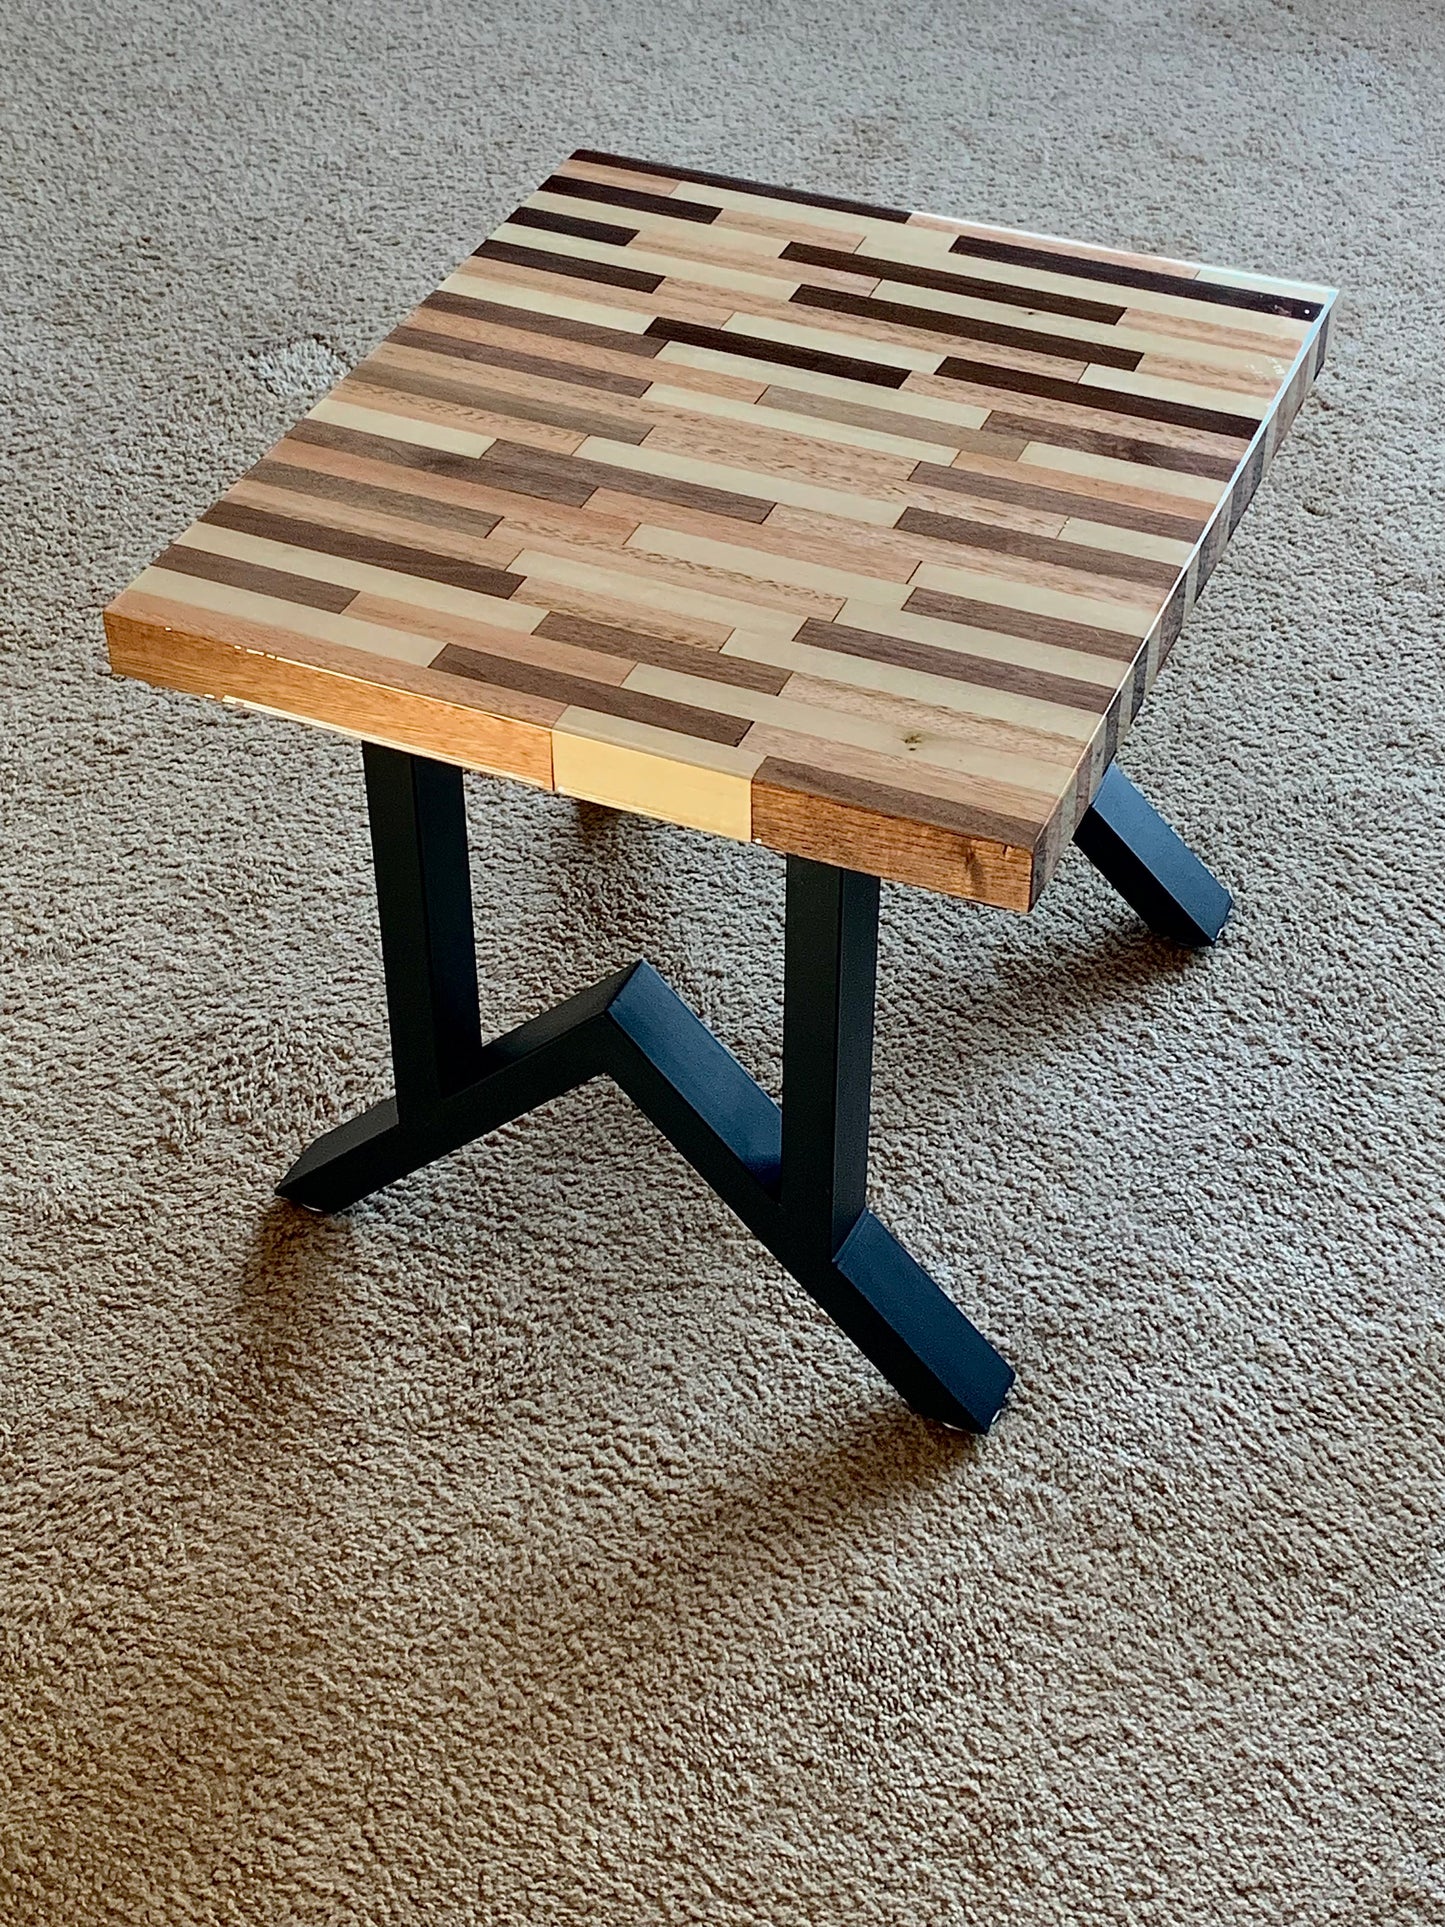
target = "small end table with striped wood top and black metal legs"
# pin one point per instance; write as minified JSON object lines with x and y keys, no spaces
{"x":839,"y":529}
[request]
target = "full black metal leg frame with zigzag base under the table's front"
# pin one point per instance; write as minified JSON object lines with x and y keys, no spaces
{"x":795,"y":1176}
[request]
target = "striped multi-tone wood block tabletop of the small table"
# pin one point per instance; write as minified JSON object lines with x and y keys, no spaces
{"x":839,"y":529}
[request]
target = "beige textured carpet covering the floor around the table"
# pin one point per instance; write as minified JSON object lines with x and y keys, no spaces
{"x":525,"y":1548}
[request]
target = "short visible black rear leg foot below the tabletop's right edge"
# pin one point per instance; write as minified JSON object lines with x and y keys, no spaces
{"x":1149,"y":864}
